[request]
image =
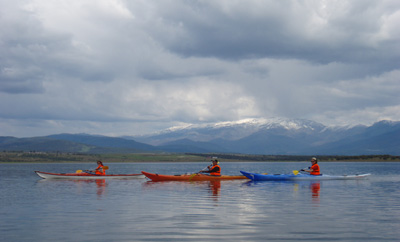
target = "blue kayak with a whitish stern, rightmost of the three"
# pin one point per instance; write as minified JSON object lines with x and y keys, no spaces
{"x":291,"y":177}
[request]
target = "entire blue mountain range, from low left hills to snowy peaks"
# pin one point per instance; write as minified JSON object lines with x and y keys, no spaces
{"x":249,"y":136}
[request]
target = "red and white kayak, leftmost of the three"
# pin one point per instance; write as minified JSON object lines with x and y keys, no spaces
{"x":84,"y":175}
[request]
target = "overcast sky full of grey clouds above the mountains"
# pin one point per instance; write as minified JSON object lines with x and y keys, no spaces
{"x":116,"y":67}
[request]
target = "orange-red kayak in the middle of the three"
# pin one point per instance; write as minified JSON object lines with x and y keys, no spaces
{"x":190,"y":177}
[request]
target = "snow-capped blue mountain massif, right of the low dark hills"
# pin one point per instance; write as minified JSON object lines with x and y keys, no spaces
{"x":279,"y":136}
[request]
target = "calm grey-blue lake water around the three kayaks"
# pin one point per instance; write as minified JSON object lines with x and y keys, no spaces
{"x":35,"y":209}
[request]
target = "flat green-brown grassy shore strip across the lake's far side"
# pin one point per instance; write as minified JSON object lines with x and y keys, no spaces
{"x":42,"y":157}
